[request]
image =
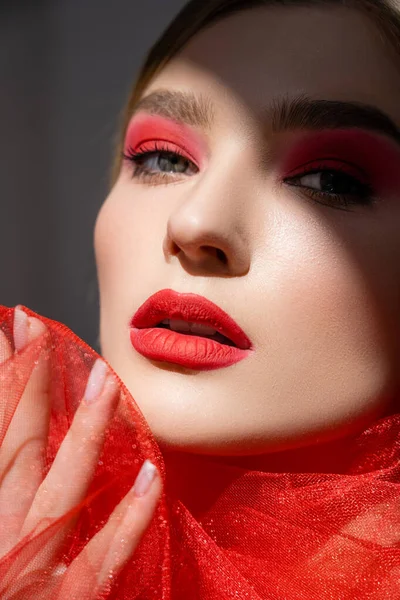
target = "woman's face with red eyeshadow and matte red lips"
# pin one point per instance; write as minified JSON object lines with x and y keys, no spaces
{"x":276,"y":198}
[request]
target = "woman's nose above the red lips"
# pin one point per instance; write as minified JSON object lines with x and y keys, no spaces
{"x":209,"y":230}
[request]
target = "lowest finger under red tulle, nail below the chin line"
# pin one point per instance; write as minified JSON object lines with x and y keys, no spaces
{"x":95,"y":568}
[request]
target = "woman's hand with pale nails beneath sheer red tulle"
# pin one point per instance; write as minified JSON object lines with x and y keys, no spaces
{"x":29,"y":503}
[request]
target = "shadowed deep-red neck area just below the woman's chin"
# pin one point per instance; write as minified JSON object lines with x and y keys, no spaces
{"x":198,"y":480}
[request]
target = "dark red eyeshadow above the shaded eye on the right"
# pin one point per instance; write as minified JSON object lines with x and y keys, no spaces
{"x":374,"y":155}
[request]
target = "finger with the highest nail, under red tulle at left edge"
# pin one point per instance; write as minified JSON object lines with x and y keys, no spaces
{"x":22,"y":451}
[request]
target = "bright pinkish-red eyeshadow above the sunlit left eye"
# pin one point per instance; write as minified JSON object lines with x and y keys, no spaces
{"x":146,"y":128}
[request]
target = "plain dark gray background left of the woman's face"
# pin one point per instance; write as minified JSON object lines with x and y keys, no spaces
{"x":66,"y":67}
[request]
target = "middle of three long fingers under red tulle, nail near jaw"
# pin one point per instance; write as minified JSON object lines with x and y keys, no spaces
{"x":68,"y":480}
